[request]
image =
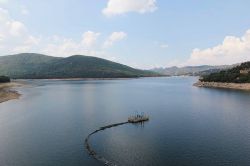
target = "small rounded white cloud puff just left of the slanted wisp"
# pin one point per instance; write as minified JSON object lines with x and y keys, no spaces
{"x":89,"y":38}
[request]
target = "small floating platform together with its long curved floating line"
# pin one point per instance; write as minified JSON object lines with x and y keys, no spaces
{"x":132,"y":119}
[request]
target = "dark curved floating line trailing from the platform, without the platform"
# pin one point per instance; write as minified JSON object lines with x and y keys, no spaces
{"x":92,"y":152}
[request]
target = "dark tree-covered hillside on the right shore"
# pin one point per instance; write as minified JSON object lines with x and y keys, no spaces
{"x":238,"y":74}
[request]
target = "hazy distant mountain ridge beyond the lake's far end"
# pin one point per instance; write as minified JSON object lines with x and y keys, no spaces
{"x":191,"y":70}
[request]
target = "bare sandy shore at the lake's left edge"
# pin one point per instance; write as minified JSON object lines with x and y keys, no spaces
{"x":7,"y":91}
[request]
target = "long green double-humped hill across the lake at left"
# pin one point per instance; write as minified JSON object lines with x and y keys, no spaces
{"x":38,"y":66}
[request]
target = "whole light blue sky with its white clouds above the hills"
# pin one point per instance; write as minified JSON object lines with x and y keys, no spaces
{"x":140,"y":33}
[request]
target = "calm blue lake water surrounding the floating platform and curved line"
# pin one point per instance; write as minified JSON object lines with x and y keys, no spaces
{"x":188,"y":125}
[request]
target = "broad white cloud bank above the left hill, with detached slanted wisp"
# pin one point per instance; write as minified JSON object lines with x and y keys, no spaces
{"x":16,"y":38}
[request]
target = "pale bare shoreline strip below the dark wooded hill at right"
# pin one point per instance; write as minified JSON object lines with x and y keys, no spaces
{"x":234,"y":86}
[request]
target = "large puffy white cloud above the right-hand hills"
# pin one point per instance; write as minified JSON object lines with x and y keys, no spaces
{"x":232,"y":50}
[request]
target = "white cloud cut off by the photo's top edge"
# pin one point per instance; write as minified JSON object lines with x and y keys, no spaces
{"x":118,"y":7}
